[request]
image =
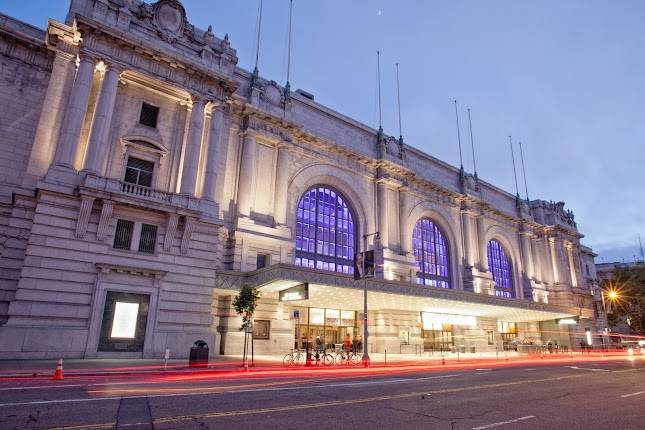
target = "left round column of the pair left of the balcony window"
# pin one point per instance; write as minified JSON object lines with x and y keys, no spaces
{"x":75,"y":114}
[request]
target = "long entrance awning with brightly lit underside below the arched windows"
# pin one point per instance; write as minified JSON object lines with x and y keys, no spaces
{"x":334,"y":290}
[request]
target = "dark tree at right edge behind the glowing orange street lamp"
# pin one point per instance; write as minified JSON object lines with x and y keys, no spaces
{"x":629,"y":283}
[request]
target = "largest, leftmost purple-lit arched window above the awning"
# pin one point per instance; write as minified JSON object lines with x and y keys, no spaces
{"x":325,"y":231}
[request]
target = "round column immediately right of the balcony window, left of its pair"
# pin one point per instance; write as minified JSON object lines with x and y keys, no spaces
{"x":193,"y":146}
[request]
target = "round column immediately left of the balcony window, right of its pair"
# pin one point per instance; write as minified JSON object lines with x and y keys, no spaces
{"x":98,"y":145}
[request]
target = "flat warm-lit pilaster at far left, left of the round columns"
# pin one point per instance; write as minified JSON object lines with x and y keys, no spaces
{"x":51,"y":116}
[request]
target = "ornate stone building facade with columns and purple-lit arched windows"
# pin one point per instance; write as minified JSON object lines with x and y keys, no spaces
{"x":145,"y":177}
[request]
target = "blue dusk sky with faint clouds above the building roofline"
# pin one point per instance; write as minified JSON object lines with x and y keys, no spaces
{"x":564,"y":77}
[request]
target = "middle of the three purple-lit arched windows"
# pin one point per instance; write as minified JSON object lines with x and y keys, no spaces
{"x":431,"y":254}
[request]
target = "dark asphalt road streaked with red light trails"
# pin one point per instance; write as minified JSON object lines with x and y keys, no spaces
{"x":585,"y":395}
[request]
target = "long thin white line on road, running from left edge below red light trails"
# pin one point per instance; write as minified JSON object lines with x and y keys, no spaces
{"x":254,"y":390}
